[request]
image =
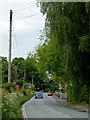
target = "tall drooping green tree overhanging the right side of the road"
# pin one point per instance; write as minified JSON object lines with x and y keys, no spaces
{"x":65,"y":50}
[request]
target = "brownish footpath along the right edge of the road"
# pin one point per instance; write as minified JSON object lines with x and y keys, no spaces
{"x":65,"y":103}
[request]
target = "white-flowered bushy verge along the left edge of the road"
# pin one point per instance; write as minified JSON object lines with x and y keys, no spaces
{"x":11,"y":103}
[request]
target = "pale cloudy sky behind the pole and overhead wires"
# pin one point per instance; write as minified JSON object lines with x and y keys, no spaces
{"x":27,"y":24}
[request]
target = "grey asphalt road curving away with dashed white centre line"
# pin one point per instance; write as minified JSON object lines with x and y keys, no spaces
{"x":49,"y":108}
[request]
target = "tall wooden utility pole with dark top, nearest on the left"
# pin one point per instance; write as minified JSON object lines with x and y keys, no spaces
{"x":10,"y":37}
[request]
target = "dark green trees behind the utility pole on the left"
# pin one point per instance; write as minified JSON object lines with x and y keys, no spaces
{"x":21,"y":71}
